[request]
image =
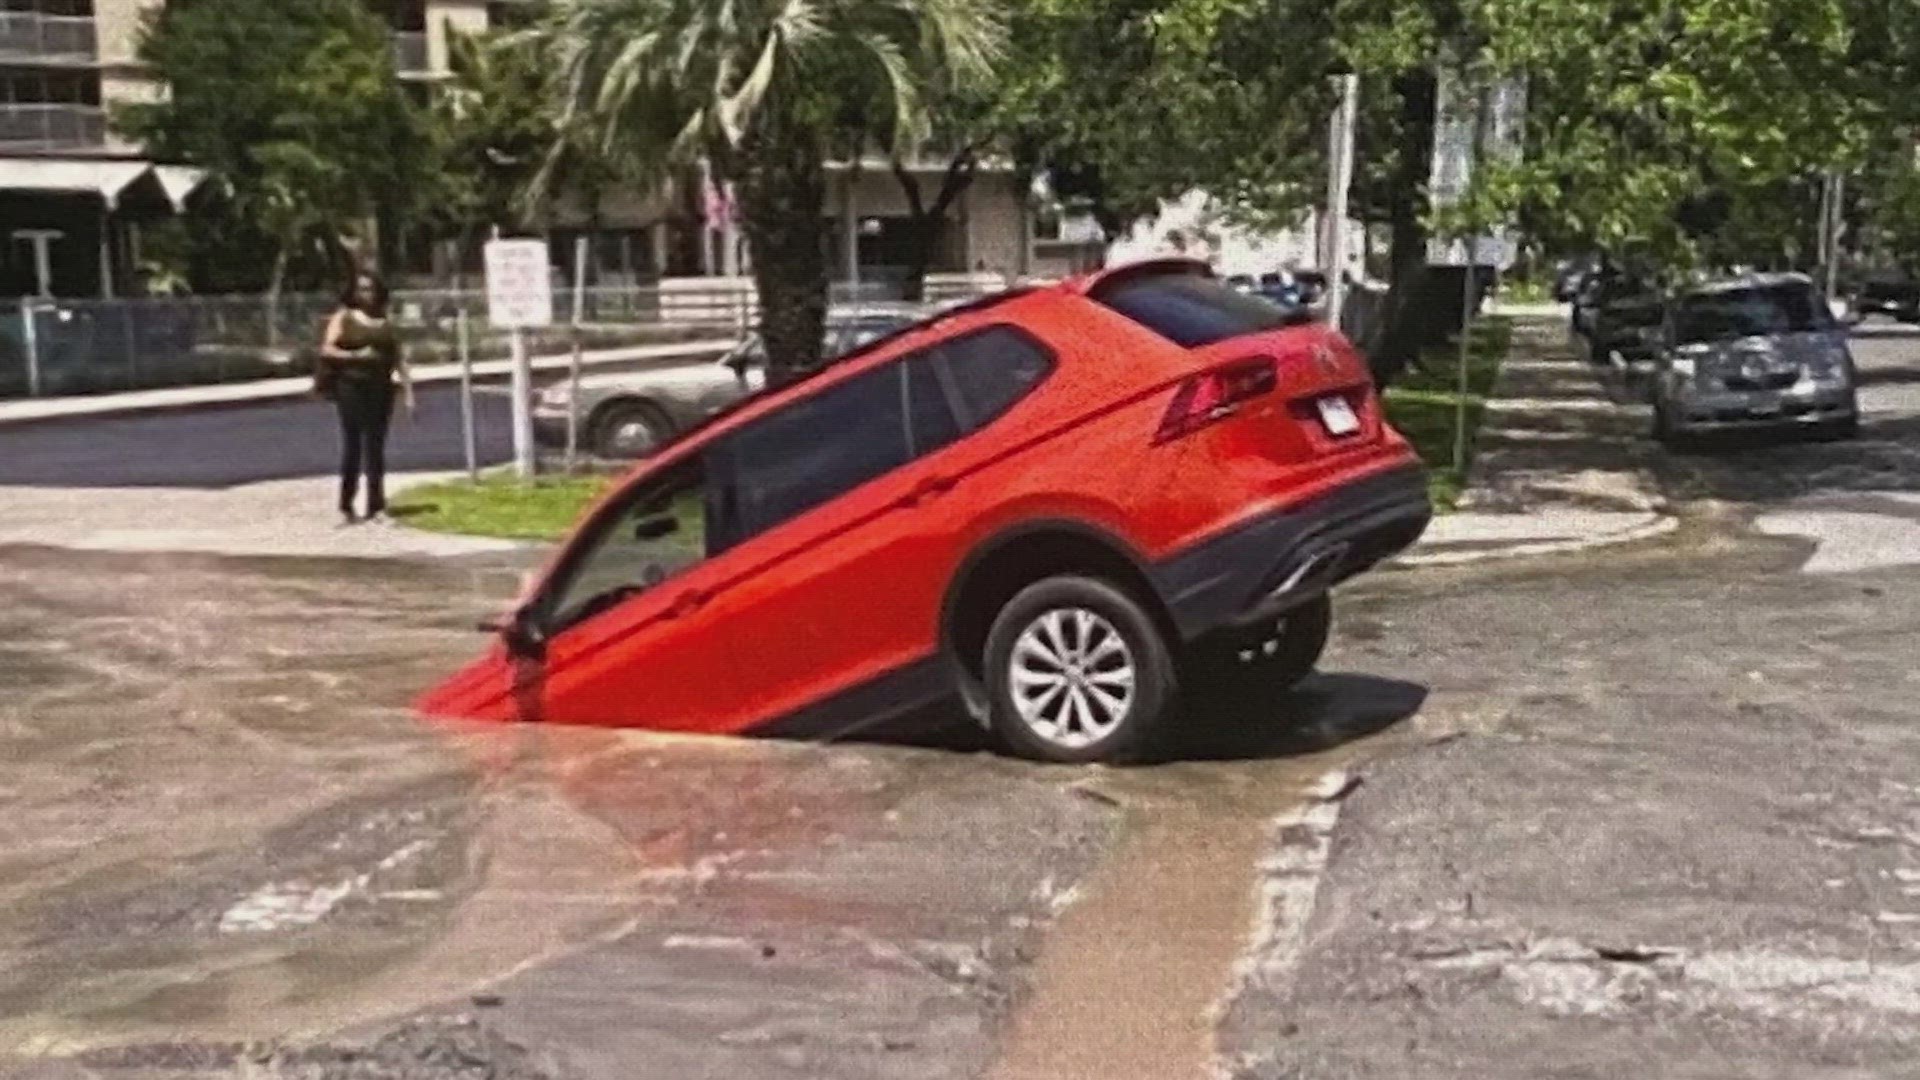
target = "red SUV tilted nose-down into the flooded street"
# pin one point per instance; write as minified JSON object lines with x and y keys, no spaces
{"x":1055,"y":504}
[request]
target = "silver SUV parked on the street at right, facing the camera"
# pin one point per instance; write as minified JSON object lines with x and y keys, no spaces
{"x":1762,"y":351}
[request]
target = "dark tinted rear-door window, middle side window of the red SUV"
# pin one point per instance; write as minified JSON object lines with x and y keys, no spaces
{"x":819,"y":449}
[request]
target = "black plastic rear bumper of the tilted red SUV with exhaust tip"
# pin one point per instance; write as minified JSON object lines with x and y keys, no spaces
{"x":1284,"y":560}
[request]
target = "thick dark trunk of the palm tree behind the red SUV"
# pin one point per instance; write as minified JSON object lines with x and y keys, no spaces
{"x":782,"y":199}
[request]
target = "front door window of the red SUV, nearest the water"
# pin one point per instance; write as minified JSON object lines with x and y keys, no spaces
{"x":667,"y":526}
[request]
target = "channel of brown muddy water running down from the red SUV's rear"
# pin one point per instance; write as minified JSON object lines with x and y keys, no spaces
{"x":1141,"y":966}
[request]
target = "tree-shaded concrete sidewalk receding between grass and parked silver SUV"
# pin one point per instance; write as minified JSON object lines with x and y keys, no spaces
{"x":1562,"y":464}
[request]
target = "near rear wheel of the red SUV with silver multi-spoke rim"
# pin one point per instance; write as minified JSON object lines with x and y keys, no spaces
{"x":1153,"y":691}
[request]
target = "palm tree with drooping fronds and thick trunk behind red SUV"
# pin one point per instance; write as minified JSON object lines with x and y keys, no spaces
{"x":761,"y":91}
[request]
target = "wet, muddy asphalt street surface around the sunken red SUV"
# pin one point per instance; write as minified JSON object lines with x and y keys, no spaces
{"x":1644,"y":810}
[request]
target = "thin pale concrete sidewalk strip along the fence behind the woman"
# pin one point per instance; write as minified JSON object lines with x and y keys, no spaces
{"x":297,"y":387}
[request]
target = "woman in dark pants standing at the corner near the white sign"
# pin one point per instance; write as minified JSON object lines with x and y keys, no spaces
{"x":360,"y":362}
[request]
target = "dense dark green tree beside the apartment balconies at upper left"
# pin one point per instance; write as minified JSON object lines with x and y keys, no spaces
{"x":295,"y":110}
